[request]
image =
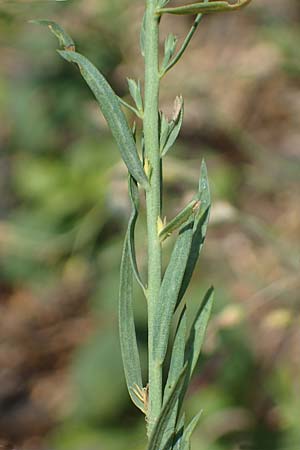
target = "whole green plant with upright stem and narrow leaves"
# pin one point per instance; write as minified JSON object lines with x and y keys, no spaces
{"x":160,"y":401}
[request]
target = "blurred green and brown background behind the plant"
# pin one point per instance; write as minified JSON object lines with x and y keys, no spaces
{"x":64,"y":208}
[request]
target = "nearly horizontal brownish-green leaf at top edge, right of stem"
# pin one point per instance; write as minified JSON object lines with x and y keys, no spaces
{"x":204,"y":8}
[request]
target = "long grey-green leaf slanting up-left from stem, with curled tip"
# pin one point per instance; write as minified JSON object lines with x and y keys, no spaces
{"x":110,"y":107}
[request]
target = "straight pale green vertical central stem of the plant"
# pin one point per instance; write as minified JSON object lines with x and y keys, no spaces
{"x":153,"y":200}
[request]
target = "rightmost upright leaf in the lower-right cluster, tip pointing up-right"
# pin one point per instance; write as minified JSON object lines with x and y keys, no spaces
{"x":196,"y":338}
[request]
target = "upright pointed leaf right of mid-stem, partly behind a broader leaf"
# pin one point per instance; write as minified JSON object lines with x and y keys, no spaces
{"x":200,"y":229}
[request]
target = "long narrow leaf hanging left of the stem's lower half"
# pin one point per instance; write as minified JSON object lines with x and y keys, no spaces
{"x":129,"y":348}
